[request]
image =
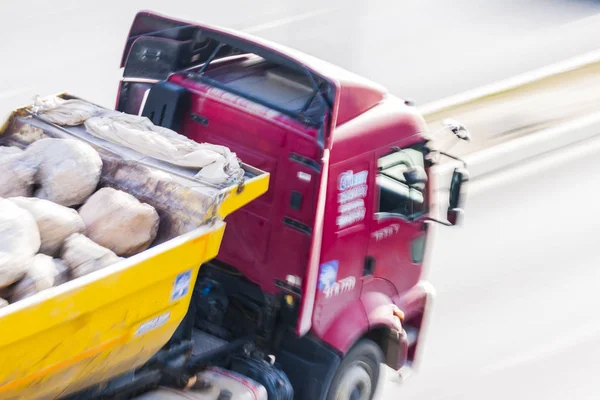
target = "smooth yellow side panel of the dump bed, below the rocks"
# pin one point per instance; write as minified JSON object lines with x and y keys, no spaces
{"x":94,"y":328}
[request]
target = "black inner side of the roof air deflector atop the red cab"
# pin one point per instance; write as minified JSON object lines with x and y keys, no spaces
{"x":158,"y":46}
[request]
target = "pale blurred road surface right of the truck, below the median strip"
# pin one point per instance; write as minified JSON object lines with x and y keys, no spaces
{"x":516,"y":312}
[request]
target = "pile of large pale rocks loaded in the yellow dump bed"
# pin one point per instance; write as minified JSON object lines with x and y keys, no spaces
{"x":56,"y":224}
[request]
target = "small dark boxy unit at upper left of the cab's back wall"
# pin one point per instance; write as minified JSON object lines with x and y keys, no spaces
{"x":166,"y":105}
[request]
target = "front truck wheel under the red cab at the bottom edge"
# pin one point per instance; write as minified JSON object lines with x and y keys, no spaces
{"x":358,"y":374}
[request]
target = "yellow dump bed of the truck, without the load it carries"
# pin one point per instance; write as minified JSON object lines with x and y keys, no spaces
{"x":103,"y":324}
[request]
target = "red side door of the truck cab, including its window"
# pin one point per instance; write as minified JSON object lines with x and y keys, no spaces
{"x":397,"y":240}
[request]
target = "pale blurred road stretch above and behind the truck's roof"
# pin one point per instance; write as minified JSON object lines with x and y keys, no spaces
{"x":424,"y":50}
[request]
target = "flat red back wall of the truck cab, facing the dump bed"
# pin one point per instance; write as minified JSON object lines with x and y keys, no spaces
{"x":258,"y":242}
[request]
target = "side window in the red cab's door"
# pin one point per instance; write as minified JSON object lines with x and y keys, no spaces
{"x":401,"y":182}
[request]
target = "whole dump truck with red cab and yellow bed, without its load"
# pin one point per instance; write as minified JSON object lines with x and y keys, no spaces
{"x":316,"y":281}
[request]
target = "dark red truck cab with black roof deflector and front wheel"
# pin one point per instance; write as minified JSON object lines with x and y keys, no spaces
{"x":325,"y":270}
